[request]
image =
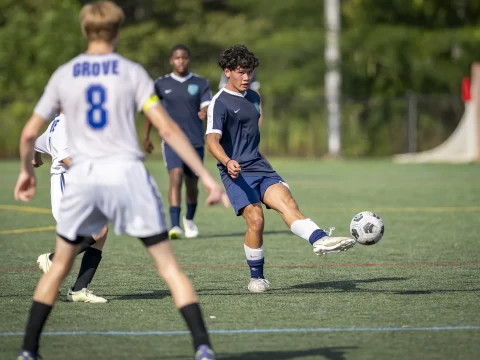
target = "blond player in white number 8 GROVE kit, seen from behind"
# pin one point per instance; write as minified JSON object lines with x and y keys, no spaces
{"x":100,"y":92}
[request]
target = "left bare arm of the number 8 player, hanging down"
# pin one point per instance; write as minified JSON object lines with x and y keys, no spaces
{"x":26,"y":183}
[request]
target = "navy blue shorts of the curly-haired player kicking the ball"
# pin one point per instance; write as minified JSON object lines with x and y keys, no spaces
{"x":246,"y":190}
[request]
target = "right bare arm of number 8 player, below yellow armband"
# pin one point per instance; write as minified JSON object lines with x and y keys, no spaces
{"x":174,"y":136}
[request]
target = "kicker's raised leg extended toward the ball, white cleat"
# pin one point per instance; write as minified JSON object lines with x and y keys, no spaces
{"x":279,"y":198}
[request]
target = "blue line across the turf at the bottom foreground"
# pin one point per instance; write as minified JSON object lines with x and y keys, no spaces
{"x":249,"y":331}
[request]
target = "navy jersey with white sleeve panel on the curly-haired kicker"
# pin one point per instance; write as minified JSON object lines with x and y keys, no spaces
{"x":235,"y":117}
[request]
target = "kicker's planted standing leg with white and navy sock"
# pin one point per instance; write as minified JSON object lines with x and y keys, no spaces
{"x":253,"y":246}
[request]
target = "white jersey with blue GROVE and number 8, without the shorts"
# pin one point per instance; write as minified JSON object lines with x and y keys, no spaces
{"x":100,"y":95}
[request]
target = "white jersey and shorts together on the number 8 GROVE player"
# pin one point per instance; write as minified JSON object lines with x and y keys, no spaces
{"x":100,"y":95}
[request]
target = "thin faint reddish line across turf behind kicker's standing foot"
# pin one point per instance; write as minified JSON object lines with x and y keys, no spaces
{"x":299,"y":266}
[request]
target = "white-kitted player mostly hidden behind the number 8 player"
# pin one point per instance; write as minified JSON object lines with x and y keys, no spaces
{"x":54,"y":143}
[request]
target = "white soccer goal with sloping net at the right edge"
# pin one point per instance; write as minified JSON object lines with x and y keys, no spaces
{"x":463,"y":146}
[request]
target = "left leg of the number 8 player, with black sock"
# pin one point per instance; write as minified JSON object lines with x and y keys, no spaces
{"x":45,"y":295}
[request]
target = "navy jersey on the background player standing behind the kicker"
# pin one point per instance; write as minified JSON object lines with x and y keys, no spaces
{"x":183,"y":97}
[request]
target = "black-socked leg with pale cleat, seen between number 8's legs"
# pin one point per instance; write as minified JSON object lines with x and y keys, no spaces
{"x":79,"y":292}
